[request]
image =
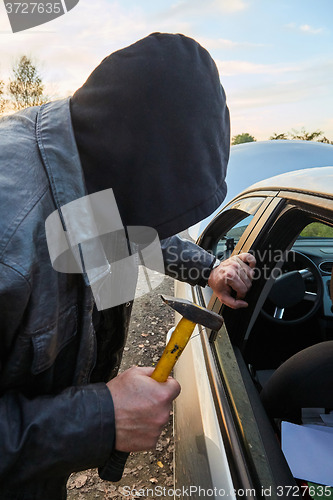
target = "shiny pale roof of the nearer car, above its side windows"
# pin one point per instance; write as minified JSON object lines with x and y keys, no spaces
{"x":318,"y":181}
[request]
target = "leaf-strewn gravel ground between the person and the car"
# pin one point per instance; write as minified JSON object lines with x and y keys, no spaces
{"x":151,"y":320}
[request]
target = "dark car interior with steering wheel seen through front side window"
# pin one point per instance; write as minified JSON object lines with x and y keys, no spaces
{"x":298,"y":309}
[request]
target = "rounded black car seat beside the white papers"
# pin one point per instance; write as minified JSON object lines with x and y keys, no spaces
{"x":303,"y":381}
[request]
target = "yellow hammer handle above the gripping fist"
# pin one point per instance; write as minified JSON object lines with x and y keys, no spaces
{"x":178,"y":340}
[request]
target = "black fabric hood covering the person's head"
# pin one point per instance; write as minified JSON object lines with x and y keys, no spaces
{"x":152,"y":123}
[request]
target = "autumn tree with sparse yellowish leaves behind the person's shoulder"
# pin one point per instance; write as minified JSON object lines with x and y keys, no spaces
{"x":26,"y":89}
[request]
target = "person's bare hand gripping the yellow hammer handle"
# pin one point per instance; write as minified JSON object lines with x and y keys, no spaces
{"x":142,"y":408}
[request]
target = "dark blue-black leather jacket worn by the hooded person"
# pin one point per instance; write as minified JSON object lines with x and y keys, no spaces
{"x":56,"y":350}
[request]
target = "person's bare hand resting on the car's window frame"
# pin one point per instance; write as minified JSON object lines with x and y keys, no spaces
{"x":235,"y":273}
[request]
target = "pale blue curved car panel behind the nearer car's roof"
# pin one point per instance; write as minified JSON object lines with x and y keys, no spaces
{"x":254,"y":161}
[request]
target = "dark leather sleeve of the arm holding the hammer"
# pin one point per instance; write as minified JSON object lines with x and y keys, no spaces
{"x":50,"y":435}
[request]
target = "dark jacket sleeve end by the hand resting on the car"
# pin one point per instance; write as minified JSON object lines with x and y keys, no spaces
{"x":186,"y":261}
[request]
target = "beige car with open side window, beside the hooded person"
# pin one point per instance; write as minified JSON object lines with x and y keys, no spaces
{"x":227,"y":437}
